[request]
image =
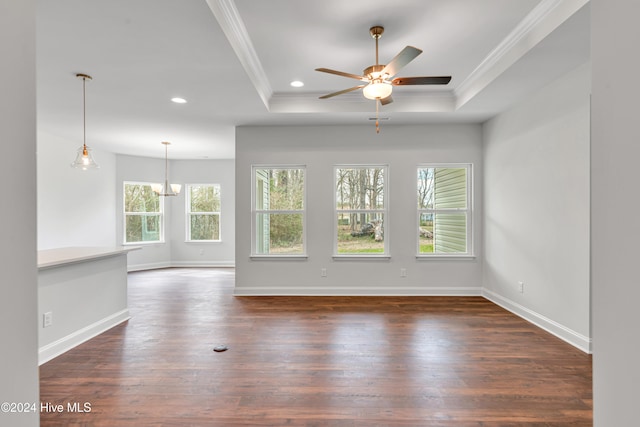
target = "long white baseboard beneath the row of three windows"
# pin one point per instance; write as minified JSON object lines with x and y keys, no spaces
{"x":356,"y":291}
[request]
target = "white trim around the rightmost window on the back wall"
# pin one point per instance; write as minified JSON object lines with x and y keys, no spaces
{"x":469,"y":254}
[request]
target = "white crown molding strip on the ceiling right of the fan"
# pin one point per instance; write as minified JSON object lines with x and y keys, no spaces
{"x":538,"y":24}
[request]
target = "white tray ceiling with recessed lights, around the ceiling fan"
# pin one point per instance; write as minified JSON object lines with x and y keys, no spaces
{"x":233,"y":61}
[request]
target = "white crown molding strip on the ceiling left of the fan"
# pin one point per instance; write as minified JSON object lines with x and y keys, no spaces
{"x":230,"y":21}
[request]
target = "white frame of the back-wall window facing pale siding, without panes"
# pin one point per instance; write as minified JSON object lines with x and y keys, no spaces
{"x":469,"y":210}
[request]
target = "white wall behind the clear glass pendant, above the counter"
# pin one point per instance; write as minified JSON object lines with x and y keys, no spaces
{"x":75,"y":207}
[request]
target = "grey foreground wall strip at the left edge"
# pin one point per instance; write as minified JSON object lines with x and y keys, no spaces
{"x":18,"y":304}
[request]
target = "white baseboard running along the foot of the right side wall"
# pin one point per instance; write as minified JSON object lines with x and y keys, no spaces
{"x":564,"y":333}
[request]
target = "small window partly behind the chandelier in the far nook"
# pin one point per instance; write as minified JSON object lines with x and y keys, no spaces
{"x":143,"y":218}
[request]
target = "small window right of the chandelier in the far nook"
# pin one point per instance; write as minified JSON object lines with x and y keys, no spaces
{"x":203,"y":212}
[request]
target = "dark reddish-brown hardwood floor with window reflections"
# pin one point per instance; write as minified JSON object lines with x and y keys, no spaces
{"x":314,"y":361}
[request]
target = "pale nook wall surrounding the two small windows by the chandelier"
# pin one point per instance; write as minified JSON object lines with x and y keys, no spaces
{"x":175,"y":251}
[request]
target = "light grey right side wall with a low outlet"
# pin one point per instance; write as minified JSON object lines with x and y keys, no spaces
{"x":536,"y":199}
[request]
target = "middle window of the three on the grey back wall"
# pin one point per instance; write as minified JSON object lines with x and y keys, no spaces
{"x":361,"y":210}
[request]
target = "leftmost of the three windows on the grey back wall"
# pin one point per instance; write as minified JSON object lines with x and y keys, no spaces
{"x":278,"y":210}
